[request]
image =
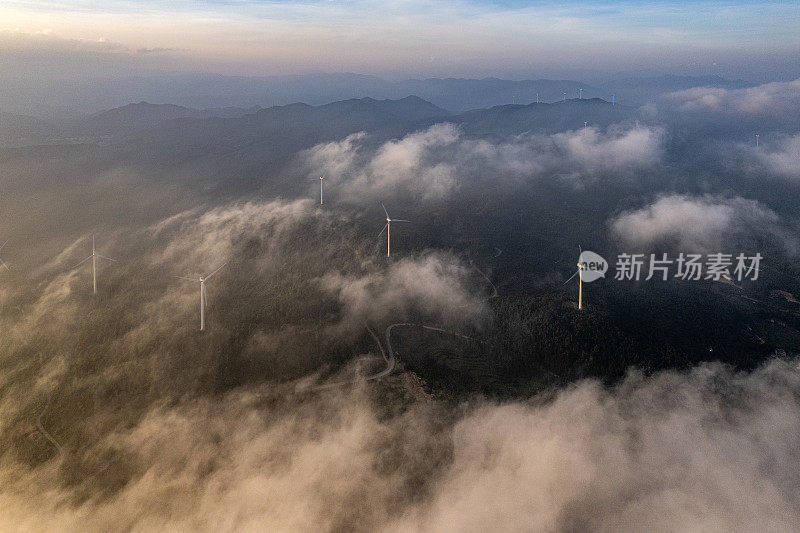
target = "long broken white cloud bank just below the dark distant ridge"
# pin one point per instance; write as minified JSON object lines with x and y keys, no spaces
{"x":434,"y":163}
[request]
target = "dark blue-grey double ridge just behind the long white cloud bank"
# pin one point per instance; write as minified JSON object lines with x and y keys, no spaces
{"x":301,"y":125}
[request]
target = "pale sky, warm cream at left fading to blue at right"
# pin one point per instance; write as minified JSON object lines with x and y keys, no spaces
{"x":408,"y":38}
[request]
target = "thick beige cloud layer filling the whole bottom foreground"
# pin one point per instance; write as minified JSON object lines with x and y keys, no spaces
{"x":706,"y":450}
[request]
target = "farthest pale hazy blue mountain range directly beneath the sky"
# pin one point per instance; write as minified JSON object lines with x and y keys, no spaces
{"x":212,"y":91}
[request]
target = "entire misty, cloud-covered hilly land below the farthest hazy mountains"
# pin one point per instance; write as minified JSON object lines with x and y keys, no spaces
{"x":117,"y":413}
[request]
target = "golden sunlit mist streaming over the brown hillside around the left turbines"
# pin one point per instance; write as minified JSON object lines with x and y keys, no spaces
{"x":297,"y":286}
